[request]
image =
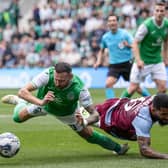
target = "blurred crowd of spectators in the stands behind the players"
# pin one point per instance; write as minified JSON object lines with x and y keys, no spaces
{"x":64,"y":30}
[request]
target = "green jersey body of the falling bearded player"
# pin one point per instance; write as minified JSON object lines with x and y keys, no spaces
{"x":66,"y":100}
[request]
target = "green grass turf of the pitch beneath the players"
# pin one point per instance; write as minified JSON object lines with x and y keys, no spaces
{"x":47,"y":143}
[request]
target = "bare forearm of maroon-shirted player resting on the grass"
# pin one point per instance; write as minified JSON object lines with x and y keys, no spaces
{"x":147,"y":151}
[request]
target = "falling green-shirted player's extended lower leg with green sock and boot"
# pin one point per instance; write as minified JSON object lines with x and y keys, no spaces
{"x":104,"y":141}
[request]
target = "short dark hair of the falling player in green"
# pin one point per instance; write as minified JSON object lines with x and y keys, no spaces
{"x":63,"y":67}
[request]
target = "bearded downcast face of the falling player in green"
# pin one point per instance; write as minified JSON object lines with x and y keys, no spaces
{"x":62,"y":80}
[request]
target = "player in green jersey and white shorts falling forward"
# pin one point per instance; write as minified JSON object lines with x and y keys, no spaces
{"x":59,"y":93}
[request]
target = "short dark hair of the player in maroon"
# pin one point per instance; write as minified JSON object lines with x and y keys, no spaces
{"x":160,"y":101}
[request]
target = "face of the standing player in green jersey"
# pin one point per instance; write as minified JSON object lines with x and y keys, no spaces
{"x":159,"y":13}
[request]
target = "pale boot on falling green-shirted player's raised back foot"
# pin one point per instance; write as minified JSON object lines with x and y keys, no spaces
{"x":10,"y":99}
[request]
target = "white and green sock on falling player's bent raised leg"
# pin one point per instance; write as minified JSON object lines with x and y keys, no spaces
{"x":17,"y":110}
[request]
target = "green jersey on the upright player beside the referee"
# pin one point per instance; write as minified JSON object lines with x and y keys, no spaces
{"x":151,"y":46}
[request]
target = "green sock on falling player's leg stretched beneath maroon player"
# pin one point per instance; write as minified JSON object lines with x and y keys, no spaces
{"x":104,"y":141}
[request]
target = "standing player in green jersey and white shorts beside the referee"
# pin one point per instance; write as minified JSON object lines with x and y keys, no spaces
{"x":150,"y":40}
